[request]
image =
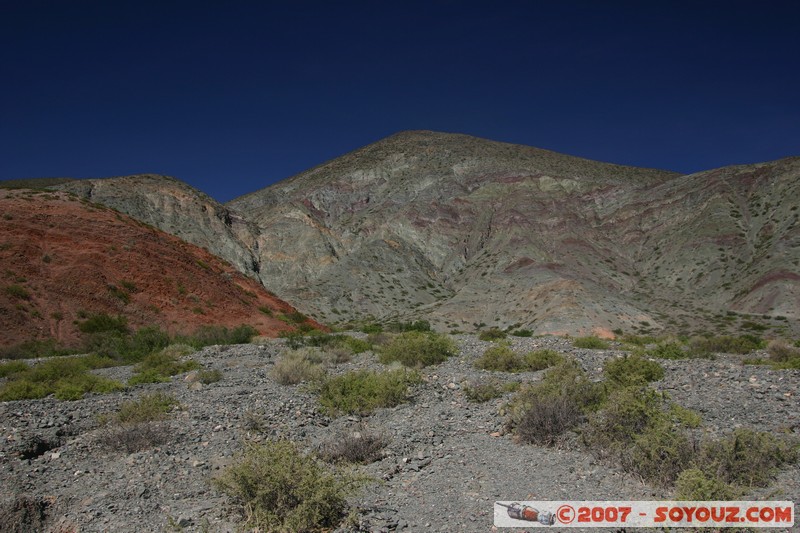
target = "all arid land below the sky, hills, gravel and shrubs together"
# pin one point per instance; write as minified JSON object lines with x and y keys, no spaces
{"x":510,"y":324}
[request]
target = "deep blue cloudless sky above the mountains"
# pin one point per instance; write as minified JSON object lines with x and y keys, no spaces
{"x":233,"y":96}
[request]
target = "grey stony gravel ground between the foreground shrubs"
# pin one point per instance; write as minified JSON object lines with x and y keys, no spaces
{"x":446,"y":462}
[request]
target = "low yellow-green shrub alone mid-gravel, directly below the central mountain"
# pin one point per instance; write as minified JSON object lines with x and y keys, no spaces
{"x":362,"y":392}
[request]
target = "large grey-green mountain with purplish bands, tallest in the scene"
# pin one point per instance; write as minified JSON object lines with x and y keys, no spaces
{"x":465,"y":231}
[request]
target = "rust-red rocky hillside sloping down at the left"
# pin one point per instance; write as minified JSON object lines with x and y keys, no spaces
{"x":62,"y":258}
